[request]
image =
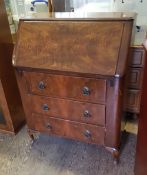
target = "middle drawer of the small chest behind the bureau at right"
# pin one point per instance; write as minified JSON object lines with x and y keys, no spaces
{"x":135,"y":77}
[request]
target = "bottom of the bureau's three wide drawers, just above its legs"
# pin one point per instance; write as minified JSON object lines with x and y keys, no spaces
{"x":69,"y":129}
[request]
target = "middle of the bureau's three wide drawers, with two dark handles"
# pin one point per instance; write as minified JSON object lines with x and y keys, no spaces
{"x":68,"y":109}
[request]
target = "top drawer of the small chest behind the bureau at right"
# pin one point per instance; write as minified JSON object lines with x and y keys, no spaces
{"x":137,"y":56}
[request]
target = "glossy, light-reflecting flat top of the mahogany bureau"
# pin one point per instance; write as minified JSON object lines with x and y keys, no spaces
{"x":82,"y":16}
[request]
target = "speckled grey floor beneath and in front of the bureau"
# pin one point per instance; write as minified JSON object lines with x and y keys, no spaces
{"x":58,"y":156}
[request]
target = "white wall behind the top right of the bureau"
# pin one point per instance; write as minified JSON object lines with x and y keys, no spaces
{"x":113,"y":5}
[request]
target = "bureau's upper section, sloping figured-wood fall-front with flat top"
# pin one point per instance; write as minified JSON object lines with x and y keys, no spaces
{"x":67,"y":44}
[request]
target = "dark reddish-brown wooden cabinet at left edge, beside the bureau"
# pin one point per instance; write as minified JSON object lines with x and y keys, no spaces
{"x":9,"y":94}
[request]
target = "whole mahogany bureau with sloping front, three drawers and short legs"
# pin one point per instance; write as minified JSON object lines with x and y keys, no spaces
{"x":70,"y":72}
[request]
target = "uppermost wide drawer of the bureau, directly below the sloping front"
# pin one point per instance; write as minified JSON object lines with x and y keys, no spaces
{"x":84,"y":89}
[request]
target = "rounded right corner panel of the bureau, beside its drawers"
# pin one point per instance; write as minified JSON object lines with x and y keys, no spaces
{"x":114,"y":112}
